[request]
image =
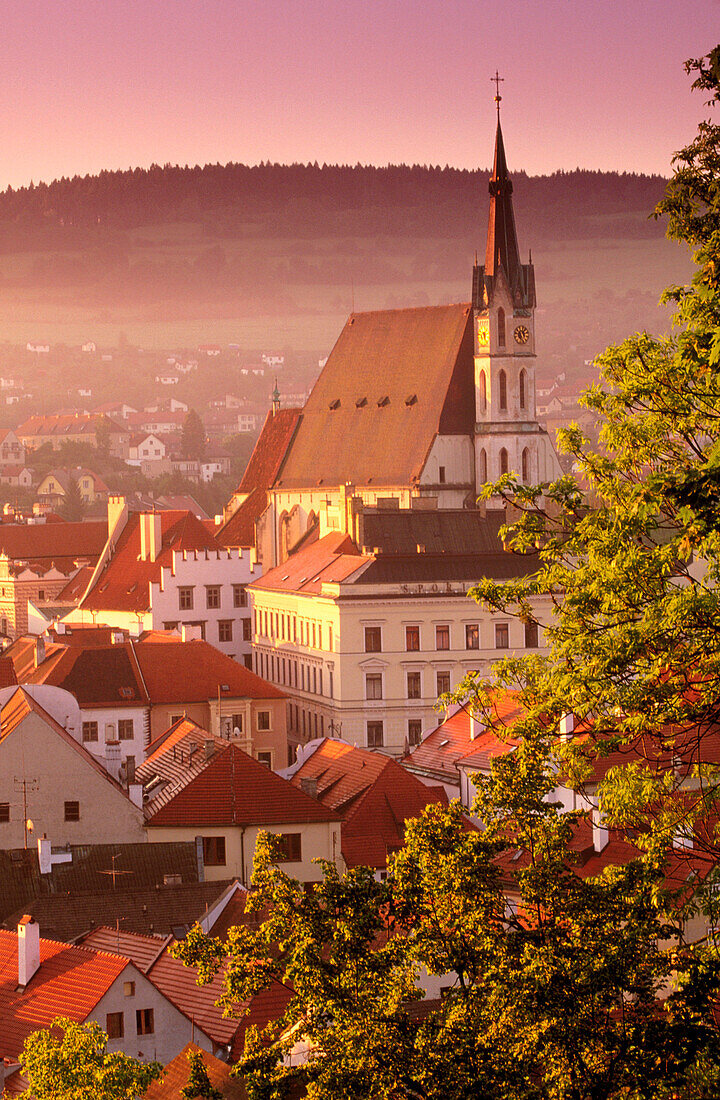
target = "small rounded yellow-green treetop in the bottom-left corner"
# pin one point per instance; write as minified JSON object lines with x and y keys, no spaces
{"x":77,"y":1066}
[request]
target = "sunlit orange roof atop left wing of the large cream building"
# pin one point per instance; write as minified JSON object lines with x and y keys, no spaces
{"x":333,"y":559}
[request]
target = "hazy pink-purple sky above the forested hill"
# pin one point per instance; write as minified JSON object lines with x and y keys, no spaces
{"x":110,"y":84}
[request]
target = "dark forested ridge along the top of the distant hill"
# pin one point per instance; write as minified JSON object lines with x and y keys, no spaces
{"x":312,"y":201}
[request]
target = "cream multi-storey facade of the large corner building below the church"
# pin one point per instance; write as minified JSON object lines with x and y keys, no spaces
{"x":326,"y":684}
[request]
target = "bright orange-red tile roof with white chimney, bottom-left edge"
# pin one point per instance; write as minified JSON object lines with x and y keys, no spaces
{"x":70,"y":983}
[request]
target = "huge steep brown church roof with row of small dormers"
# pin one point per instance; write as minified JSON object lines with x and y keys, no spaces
{"x":394,"y":381}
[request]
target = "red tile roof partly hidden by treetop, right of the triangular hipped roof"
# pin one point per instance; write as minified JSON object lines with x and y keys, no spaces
{"x":374,"y":795}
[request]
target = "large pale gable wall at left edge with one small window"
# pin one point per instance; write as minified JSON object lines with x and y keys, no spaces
{"x":54,"y":773}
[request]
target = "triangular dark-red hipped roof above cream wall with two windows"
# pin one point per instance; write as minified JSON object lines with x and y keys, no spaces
{"x":232,"y":789}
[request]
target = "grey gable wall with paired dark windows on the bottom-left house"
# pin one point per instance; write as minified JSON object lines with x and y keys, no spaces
{"x":173,"y":1029}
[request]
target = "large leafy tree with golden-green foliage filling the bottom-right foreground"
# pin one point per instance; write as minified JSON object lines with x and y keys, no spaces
{"x":555,"y":983}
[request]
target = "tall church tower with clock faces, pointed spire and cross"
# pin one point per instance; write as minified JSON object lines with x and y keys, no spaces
{"x":508,"y":438}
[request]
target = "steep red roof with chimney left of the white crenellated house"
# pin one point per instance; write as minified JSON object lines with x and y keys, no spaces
{"x":124,"y":585}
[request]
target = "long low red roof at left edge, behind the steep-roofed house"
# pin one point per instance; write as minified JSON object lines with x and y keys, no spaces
{"x":54,"y":544}
